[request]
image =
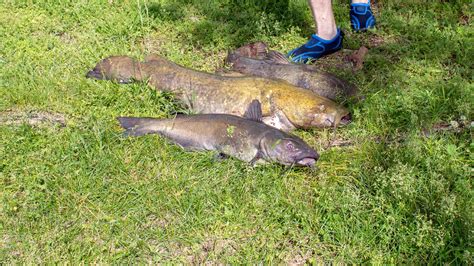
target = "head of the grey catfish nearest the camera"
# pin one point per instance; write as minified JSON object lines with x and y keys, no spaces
{"x":288,"y":150}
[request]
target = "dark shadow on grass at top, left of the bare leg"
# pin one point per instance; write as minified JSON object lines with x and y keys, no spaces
{"x":237,"y":21}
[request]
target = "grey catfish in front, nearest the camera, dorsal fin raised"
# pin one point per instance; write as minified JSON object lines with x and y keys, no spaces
{"x":247,"y":139}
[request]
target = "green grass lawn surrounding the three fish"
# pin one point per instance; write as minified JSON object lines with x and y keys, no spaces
{"x":82,"y":193}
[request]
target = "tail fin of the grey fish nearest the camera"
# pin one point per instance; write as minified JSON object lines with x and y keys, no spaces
{"x":135,"y":126}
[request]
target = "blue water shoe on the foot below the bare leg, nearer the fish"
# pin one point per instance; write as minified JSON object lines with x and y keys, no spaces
{"x":315,"y":48}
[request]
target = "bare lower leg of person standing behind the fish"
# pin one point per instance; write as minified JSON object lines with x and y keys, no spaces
{"x":324,"y":18}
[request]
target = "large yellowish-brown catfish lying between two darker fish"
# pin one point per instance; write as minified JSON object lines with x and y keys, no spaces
{"x":284,"y":105}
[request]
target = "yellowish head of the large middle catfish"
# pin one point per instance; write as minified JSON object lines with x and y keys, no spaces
{"x":326,"y":115}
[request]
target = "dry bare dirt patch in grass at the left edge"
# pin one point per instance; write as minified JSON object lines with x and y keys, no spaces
{"x":32,"y":118}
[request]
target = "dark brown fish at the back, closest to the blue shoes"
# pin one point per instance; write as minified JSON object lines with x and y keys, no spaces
{"x":254,"y":59}
